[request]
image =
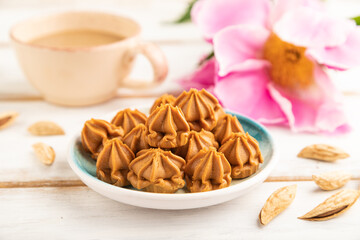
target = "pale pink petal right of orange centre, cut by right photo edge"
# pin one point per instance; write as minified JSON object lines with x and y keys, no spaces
{"x":341,"y":57}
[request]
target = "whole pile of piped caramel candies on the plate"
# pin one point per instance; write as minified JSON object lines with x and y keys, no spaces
{"x":188,"y":139}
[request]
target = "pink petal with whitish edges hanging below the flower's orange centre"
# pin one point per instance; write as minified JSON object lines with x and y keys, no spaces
{"x":323,"y":113}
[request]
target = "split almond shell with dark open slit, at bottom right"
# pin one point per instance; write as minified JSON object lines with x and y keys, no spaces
{"x":333,"y":206}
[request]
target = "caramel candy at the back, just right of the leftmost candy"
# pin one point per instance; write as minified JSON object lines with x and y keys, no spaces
{"x":128,"y":119}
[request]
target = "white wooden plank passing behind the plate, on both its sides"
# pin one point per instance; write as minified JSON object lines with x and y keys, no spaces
{"x":20,"y":165}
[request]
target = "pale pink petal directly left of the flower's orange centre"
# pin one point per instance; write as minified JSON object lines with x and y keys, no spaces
{"x":241,"y":44}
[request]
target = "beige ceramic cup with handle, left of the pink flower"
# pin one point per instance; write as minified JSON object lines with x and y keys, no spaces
{"x":83,"y":76}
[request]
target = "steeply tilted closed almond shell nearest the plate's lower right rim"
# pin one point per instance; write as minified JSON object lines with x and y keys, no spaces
{"x":276,"y":203}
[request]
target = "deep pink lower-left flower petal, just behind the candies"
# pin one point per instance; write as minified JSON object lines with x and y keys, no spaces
{"x":247,"y":94}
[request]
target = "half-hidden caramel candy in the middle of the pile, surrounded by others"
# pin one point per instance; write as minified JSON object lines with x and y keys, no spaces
{"x":196,"y":142}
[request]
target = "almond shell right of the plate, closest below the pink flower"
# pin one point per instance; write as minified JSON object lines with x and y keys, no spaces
{"x":323,"y":152}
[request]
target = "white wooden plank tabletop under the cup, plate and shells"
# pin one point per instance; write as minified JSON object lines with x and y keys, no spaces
{"x":38,"y":202}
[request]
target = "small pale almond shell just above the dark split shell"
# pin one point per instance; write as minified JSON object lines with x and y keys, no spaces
{"x":331,"y":180}
